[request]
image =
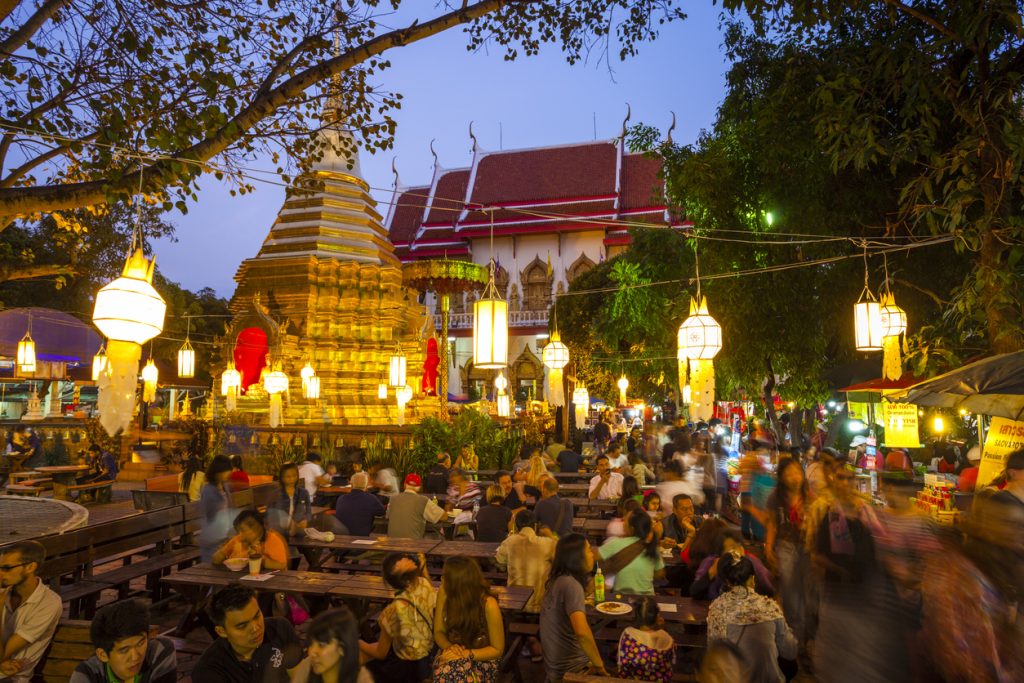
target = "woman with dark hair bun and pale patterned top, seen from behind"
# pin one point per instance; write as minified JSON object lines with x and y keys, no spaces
{"x":754,"y":623}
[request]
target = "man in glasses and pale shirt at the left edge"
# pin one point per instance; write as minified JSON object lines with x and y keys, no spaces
{"x":30,"y":613}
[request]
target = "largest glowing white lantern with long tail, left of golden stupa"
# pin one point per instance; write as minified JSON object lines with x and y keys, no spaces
{"x":130,"y":313}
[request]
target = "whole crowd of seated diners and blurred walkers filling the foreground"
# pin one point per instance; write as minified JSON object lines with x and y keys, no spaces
{"x":818,"y":578}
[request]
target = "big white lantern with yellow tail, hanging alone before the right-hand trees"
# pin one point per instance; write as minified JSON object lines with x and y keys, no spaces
{"x":699,"y":341}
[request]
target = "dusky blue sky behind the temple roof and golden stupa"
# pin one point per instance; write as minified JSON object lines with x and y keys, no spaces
{"x":539,"y":101}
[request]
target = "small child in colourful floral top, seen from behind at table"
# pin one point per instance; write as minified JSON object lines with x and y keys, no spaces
{"x":647,"y":653}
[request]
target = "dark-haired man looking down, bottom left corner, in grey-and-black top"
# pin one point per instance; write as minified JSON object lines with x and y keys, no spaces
{"x":120,"y":632}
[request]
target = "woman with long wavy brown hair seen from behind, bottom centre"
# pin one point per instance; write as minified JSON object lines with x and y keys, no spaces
{"x":468,"y":626}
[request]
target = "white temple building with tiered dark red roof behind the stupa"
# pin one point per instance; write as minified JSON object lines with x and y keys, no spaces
{"x":557,"y":214}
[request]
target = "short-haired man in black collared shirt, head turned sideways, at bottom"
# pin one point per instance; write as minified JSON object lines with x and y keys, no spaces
{"x":251,"y":649}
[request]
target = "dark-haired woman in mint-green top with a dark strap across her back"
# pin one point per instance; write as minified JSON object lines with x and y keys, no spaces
{"x":634,"y":561}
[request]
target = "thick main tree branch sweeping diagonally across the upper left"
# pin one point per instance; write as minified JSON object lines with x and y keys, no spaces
{"x":22,"y":201}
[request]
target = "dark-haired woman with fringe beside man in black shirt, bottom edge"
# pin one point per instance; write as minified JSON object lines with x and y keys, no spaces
{"x":334,"y":655}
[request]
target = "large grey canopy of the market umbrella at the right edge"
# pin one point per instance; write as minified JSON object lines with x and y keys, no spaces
{"x":992,"y":387}
